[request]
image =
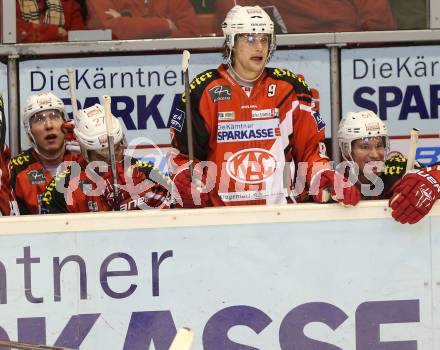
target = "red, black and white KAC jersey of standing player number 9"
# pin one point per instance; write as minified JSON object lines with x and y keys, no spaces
{"x":253,"y":141}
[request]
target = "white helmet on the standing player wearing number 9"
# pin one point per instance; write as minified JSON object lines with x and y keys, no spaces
{"x":246,"y":20}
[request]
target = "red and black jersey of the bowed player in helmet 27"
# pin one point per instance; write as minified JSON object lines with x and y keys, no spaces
{"x":79,"y":189}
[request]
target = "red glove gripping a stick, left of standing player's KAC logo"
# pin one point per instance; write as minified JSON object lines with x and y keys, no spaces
{"x":189,"y":194}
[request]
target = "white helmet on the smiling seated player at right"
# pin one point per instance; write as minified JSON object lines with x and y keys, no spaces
{"x":359,"y":125}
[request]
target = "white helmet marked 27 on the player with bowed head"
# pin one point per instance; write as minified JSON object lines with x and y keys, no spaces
{"x":91,"y":131}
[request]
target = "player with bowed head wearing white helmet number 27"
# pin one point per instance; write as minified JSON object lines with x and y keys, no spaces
{"x":88,"y":186}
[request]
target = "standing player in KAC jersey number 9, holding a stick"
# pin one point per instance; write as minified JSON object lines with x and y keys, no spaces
{"x":251,"y":123}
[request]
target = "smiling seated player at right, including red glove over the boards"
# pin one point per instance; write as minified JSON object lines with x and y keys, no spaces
{"x":363,"y":141}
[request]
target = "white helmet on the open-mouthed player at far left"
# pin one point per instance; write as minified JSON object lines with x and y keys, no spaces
{"x":41,"y":102}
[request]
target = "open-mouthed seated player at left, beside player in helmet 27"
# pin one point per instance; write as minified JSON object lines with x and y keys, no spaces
{"x":33,"y":169}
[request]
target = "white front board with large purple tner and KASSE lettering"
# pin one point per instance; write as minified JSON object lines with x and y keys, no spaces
{"x":304,"y":285}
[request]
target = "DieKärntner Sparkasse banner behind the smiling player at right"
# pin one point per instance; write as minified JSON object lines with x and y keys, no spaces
{"x":401,"y":84}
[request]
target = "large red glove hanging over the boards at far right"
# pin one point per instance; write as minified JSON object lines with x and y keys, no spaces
{"x":414,"y":196}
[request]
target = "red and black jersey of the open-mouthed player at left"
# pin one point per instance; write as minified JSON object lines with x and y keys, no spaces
{"x":29,"y":179}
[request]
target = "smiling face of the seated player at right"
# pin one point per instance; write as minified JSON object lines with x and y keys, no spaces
{"x":368,"y":149}
